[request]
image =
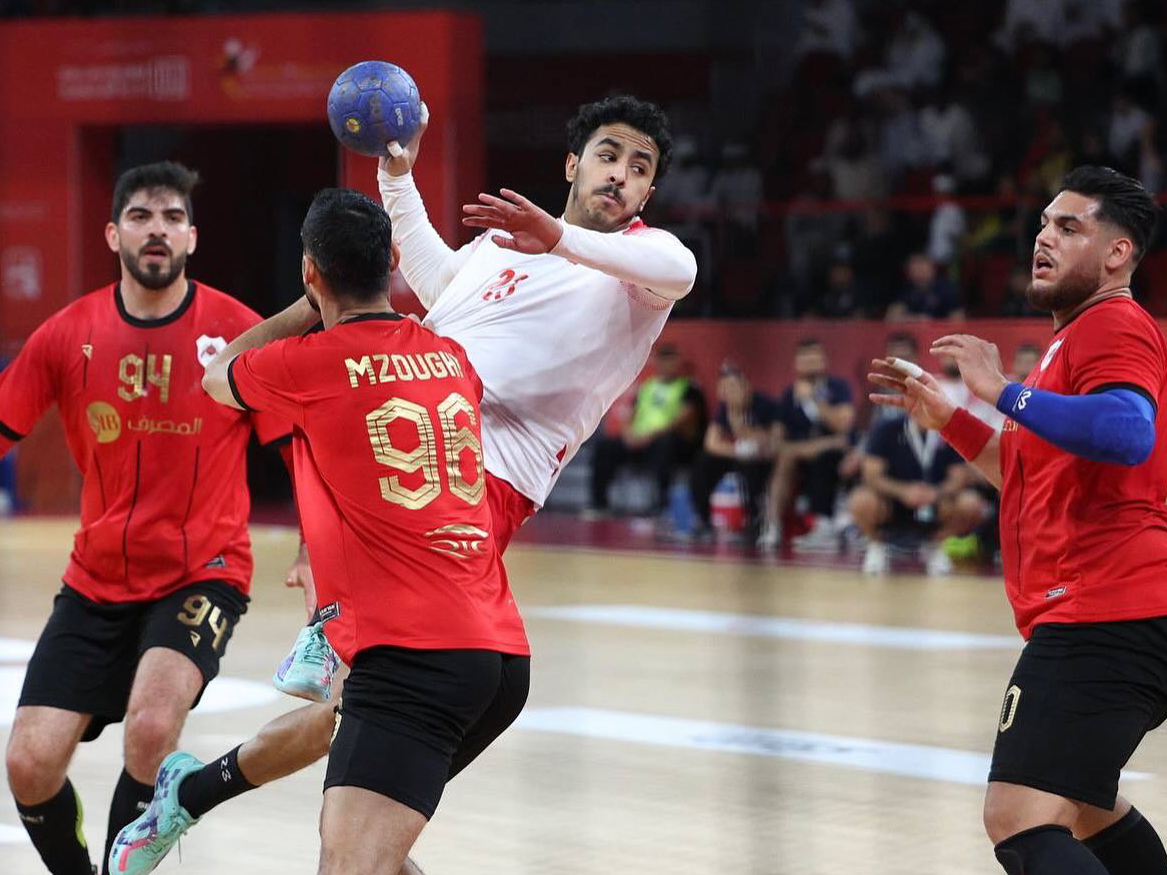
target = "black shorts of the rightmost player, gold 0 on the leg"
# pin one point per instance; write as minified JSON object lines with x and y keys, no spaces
{"x":1080,"y":702}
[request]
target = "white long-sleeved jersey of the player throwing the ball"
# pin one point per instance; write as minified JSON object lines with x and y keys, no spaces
{"x":556,"y":339}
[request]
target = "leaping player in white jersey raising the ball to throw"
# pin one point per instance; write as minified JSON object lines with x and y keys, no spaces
{"x":558,"y":318}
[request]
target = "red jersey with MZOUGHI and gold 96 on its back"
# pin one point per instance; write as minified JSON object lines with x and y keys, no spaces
{"x":390,"y":485}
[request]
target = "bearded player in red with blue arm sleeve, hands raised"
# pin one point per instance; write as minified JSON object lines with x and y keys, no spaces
{"x":1082,"y":470}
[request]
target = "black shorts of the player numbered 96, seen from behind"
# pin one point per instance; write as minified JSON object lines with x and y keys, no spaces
{"x":410,"y":720}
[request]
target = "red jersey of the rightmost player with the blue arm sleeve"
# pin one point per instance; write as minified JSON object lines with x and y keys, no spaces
{"x":1087,"y":542}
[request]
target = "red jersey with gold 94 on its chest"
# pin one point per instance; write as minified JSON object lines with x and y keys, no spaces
{"x":165,"y":498}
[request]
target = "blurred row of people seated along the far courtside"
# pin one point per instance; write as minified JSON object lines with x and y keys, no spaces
{"x":812,"y":468}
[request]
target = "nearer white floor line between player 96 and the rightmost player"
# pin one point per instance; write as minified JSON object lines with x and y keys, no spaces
{"x":916,"y":761}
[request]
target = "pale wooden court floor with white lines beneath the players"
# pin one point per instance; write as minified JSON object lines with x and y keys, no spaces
{"x":688,"y":716}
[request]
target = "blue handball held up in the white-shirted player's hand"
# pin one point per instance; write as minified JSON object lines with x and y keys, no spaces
{"x":372,"y":104}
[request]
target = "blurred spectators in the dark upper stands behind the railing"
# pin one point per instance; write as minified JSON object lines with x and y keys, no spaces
{"x":902,"y":171}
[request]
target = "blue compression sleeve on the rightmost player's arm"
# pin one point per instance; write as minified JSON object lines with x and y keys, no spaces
{"x":1115,"y":425}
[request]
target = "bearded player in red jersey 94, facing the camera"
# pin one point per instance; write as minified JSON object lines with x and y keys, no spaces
{"x":162,"y":564}
